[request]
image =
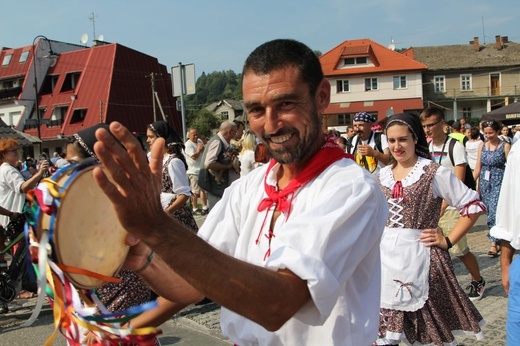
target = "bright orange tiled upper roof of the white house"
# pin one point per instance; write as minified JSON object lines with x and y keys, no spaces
{"x":384,"y":59}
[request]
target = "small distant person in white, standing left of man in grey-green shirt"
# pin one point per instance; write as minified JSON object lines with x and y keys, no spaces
{"x":194,"y":147}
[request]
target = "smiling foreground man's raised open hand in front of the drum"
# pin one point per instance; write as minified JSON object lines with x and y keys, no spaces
{"x":132,"y":185}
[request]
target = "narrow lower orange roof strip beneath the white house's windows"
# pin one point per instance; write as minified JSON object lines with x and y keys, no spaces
{"x":375,"y":107}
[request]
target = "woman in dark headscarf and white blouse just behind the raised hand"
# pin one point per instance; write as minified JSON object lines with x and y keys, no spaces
{"x":176,"y":190}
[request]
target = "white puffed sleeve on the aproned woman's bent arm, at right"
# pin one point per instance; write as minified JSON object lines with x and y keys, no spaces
{"x":447,"y":186}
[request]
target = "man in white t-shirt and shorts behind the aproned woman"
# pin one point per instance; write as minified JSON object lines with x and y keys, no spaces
{"x":433,"y":123}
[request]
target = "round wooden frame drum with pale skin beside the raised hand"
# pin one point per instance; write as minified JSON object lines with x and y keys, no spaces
{"x":86,"y":231}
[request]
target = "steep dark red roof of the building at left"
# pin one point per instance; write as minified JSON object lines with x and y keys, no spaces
{"x":114,"y":84}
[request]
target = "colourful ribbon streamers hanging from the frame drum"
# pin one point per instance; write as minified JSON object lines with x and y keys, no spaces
{"x":75,"y":312}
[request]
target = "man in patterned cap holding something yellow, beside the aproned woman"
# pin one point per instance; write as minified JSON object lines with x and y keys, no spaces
{"x":368,"y":147}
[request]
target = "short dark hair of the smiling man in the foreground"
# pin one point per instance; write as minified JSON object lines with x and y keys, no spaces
{"x":276,"y":54}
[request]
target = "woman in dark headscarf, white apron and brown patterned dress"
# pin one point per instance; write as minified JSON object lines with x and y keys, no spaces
{"x":421,"y":301}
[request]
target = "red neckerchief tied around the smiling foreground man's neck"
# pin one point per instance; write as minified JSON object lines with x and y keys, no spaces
{"x":327,"y":155}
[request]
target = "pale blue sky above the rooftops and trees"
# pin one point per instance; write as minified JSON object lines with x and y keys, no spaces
{"x":218,"y":35}
